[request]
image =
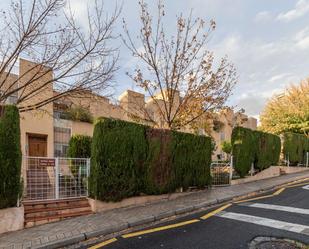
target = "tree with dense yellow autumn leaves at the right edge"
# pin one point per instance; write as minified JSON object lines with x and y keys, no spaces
{"x":289,"y":111}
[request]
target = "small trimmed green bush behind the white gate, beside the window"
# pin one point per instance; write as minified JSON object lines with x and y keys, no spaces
{"x":79,"y":146}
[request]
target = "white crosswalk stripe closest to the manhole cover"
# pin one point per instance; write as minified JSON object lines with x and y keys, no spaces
{"x":282,"y":225}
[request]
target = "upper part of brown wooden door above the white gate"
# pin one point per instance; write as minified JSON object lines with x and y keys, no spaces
{"x":37,"y":145}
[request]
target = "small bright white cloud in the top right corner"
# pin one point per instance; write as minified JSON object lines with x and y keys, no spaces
{"x":301,"y":8}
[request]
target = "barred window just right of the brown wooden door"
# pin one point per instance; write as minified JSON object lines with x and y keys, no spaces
{"x":61,"y":141}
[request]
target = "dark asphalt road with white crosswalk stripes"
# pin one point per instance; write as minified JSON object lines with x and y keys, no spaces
{"x":285,"y":215}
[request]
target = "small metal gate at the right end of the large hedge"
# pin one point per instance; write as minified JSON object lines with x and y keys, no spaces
{"x":221,"y":172}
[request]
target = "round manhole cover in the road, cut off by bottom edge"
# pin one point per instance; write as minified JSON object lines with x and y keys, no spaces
{"x":275,"y":243}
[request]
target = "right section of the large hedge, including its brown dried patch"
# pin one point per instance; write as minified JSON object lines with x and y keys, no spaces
{"x":176,"y":160}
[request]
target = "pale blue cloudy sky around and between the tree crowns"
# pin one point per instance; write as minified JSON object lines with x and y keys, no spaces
{"x":267,"y":40}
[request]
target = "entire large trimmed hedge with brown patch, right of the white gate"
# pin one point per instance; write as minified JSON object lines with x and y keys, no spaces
{"x":129,"y":159}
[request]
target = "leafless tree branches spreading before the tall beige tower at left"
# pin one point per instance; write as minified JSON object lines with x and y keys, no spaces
{"x":79,"y":58}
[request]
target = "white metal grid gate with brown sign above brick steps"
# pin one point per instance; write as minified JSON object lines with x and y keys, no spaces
{"x":55,"y":178}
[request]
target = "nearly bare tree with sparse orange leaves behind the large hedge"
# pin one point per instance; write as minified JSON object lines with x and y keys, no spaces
{"x":181,"y":65}
